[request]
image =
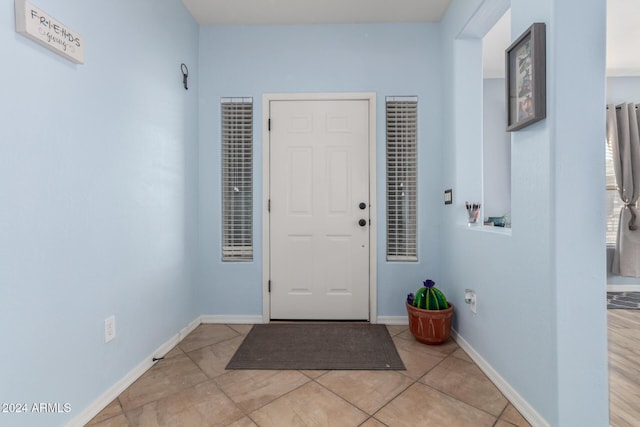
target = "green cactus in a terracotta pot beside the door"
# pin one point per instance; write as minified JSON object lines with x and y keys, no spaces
{"x":430,"y":314}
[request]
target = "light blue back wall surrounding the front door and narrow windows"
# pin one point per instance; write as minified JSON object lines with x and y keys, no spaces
{"x":252,"y":61}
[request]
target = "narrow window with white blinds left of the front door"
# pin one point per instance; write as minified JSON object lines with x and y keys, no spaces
{"x":237,"y":179}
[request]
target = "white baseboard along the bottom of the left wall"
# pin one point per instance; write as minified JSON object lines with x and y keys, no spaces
{"x":108,"y":396}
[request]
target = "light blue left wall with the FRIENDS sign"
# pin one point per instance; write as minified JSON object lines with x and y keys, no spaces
{"x":98,"y":196}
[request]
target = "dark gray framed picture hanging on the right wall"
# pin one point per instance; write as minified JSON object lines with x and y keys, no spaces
{"x":525,"y":80}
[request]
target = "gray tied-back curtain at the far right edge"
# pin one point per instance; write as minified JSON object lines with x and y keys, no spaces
{"x":623,"y":135}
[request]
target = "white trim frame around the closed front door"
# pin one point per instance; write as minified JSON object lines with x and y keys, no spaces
{"x":266,"y":164}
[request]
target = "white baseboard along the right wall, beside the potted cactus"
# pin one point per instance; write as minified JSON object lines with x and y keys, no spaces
{"x":527,"y":411}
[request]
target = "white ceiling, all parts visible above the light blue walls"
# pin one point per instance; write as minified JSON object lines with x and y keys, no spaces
{"x":623,"y":31}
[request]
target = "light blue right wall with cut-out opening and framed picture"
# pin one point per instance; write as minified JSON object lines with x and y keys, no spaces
{"x":541,"y":321}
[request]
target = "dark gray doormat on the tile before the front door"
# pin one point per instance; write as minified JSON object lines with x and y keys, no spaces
{"x":317,"y":346}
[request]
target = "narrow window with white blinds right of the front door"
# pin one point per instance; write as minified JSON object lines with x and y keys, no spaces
{"x":402,"y":157}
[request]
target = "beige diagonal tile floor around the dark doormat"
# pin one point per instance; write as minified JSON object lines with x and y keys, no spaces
{"x":190,"y":387}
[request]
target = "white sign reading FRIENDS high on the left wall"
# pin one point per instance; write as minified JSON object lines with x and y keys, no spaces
{"x":35,"y":24}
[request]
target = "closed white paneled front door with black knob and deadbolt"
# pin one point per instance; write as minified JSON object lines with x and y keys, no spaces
{"x":319,"y":209}
